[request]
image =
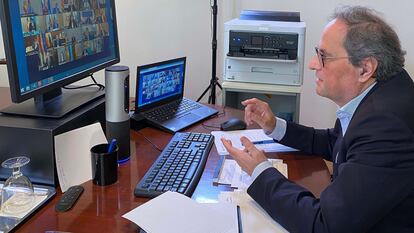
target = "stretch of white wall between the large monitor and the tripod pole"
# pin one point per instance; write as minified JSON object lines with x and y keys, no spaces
{"x":151,"y":31}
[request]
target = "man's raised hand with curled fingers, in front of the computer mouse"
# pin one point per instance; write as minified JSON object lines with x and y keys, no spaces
{"x":259,"y":112}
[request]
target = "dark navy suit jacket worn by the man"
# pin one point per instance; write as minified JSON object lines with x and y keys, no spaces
{"x":373,"y":190}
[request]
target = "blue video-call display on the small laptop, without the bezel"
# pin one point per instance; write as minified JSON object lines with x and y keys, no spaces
{"x":161,"y":83}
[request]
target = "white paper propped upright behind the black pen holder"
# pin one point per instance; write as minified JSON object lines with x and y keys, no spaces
{"x":73,"y":156}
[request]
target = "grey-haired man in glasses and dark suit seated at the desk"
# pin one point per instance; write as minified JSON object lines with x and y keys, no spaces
{"x":359,"y":66}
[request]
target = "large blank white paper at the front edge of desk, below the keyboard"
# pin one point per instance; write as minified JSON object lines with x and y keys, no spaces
{"x":173,"y":212}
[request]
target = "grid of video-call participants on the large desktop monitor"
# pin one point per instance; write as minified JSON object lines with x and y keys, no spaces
{"x":62,"y":31}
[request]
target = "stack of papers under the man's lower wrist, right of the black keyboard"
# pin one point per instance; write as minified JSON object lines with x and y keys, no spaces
{"x":231,"y":173}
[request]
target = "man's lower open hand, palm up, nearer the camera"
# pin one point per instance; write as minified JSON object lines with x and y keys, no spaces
{"x":248,"y":158}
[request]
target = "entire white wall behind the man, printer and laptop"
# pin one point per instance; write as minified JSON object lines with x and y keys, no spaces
{"x":154,"y":30}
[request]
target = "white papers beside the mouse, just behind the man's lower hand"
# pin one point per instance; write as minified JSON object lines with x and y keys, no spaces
{"x":257,"y":136}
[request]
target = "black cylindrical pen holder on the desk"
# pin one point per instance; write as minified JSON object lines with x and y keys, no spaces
{"x":104,"y":164}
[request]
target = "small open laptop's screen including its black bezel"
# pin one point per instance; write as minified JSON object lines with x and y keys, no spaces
{"x":160,"y":82}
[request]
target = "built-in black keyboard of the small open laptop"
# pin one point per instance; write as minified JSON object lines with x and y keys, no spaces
{"x":172,"y":110}
